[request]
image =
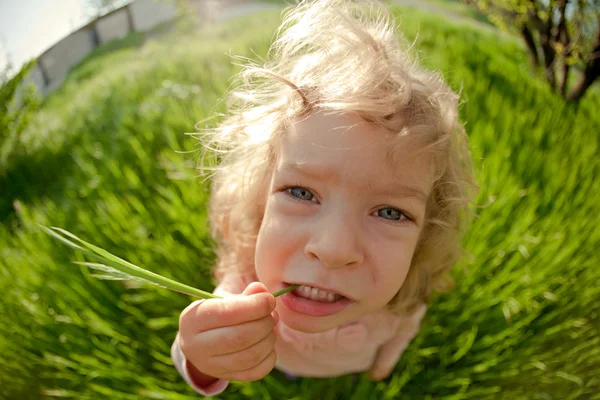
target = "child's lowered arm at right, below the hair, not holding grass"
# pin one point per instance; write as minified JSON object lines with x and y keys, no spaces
{"x":390,"y":352}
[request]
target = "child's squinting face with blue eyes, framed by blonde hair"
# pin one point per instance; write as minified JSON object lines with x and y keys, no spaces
{"x":336,"y":219}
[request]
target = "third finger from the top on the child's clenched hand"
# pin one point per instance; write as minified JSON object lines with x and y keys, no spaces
{"x":245,"y":359}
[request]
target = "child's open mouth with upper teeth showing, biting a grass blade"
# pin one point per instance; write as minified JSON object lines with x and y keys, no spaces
{"x":314,"y":301}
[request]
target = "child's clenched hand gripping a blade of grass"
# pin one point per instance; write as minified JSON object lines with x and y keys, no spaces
{"x":231,"y":338}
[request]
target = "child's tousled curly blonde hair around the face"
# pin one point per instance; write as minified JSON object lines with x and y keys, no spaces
{"x":340,"y":56}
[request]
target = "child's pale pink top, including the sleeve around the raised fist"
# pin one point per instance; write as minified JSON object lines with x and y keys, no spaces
{"x":349,"y":348}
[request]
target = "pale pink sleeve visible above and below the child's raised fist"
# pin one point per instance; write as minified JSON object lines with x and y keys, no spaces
{"x":230,"y":285}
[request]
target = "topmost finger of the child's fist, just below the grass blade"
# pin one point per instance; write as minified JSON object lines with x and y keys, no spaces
{"x":215,"y":313}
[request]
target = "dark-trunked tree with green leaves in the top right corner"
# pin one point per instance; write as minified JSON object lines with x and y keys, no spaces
{"x":560,"y":35}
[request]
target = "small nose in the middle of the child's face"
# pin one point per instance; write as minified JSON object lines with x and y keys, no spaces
{"x":336,"y":240}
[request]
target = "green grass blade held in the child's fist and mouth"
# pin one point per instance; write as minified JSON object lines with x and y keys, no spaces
{"x":114,"y":267}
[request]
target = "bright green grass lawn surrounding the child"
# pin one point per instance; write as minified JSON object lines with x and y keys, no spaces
{"x":101,"y":160}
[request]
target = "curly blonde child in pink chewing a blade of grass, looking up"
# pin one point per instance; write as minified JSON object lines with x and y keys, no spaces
{"x":346,"y":171}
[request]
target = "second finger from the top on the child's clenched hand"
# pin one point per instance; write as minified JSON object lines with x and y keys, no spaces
{"x":232,"y":339}
